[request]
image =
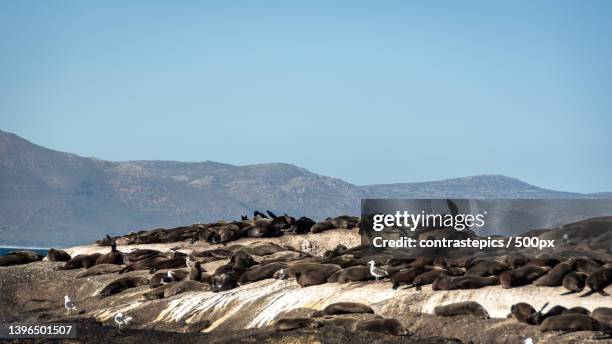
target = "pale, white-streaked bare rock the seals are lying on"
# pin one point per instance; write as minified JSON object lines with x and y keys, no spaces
{"x":35,"y":292}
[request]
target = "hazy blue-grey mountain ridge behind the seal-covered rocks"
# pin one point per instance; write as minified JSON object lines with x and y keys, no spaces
{"x":54,"y":198}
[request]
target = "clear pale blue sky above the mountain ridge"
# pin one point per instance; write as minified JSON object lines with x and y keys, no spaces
{"x":370,"y":92}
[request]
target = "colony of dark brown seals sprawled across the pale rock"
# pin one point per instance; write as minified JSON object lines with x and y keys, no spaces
{"x":157,"y":274}
